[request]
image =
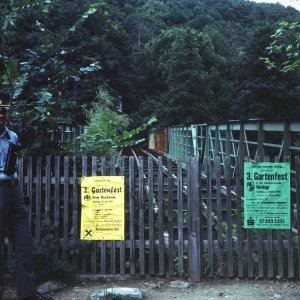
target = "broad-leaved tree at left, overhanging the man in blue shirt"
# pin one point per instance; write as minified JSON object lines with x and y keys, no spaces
{"x":35,"y":68}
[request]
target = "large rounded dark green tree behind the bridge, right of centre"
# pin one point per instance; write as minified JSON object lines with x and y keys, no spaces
{"x":184,"y":72}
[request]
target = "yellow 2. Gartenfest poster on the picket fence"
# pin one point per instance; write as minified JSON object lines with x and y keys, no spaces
{"x":102,"y":208}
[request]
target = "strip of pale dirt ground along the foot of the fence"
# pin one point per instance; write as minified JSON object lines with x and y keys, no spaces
{"x":160,"y":289}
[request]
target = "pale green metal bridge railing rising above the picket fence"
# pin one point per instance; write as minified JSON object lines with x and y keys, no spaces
{"x":274,"y":138}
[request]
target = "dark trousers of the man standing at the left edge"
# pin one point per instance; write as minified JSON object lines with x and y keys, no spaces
{"x":14,"y":217}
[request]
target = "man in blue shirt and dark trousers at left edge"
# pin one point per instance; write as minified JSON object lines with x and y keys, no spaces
{"x":13,"y":211}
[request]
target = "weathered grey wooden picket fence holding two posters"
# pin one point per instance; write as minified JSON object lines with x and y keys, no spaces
{"x":178,"y":221}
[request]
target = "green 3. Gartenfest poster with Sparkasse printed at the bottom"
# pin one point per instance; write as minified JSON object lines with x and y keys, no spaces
{"x":267,"y":195}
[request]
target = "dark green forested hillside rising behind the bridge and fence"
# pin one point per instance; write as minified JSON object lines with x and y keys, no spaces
{"x":185,"y":61}
